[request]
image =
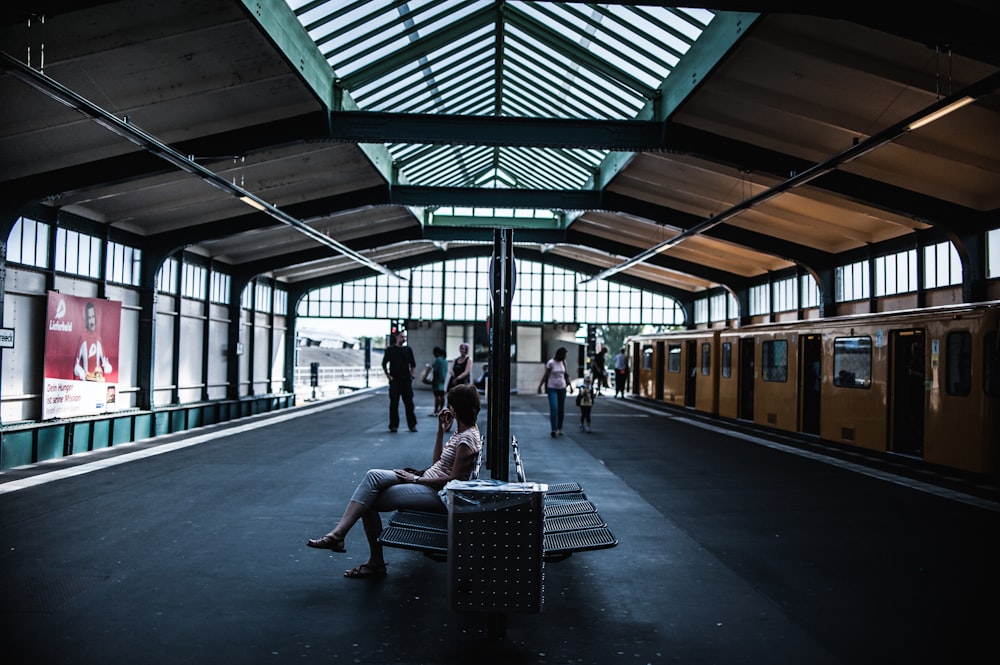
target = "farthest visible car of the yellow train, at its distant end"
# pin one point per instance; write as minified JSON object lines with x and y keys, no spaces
{"x":680,"y":368}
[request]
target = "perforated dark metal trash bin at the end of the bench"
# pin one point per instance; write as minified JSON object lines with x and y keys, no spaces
{"x":495,"y":540}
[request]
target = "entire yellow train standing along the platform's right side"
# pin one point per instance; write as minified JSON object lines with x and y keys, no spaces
{"x":921,"y":383}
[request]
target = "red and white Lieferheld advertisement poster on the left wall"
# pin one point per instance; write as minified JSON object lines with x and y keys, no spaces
{"x":81,"y":356}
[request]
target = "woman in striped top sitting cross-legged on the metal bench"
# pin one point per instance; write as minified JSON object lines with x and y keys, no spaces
{"x":383,"y":490}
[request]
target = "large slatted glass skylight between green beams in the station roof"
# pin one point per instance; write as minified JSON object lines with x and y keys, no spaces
{"x":500,"y":58}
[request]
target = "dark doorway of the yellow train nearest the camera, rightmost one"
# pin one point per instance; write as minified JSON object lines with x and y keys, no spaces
{"x":907,"y":392}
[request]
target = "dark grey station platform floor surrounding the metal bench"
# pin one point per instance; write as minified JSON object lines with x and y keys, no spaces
{"x":734,"y":547}
